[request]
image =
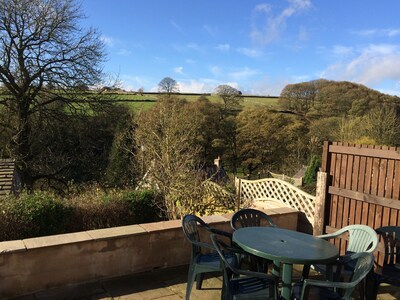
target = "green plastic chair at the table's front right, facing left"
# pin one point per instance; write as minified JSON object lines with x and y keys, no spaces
{"x":317,"y":289}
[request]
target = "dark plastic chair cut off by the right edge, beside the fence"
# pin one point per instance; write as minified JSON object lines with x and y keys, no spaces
{"x":390,"y":271}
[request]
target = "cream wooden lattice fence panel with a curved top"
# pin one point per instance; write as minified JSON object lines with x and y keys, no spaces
{"x":276,"y":189}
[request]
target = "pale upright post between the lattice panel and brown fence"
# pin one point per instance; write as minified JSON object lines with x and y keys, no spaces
{"x":320,"y":200}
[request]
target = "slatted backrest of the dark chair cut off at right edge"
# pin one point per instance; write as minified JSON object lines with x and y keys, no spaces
{"x":391,"y":239}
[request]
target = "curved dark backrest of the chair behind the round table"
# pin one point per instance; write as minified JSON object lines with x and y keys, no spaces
{"x":250,"y":217}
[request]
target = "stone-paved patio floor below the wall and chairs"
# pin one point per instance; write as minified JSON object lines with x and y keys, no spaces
{"x":165,"y":284}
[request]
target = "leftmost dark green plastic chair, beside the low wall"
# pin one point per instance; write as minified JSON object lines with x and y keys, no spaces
{"x":201,"y":261}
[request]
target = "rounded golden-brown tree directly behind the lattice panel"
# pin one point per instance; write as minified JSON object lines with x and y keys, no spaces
{"x":268,"y":140}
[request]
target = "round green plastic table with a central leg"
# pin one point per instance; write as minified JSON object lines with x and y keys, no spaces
{"x":287,"y":247}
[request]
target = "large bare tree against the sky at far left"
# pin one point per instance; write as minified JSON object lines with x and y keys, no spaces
{"x":42,"y":46}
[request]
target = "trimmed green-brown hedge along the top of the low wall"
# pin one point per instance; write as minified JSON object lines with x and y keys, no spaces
{"x":40,"y":214}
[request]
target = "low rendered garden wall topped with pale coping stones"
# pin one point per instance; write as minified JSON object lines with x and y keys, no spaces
{"x":31,"y":265}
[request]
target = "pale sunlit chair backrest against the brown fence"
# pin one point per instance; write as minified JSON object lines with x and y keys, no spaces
{"x":362,"y":238}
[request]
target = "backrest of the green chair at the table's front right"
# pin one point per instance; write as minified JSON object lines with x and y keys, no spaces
{"x":364,"y":262}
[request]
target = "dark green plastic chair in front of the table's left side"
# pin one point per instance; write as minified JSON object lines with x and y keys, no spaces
{"x":243,"y":284}
